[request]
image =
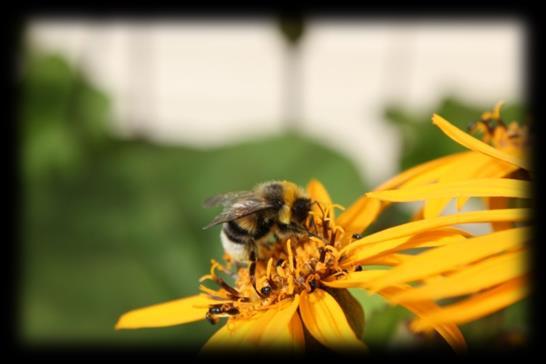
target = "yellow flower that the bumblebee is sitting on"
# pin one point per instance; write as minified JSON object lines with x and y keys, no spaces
{"x":305,"y":285}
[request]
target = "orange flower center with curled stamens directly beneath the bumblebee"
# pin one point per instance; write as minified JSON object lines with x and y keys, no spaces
{"x":286,"y":268}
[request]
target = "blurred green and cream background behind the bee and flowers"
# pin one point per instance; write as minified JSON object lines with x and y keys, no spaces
{"x":126,"y":127}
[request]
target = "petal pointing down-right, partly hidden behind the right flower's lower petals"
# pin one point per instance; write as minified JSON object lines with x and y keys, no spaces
{"x":450,"y":332}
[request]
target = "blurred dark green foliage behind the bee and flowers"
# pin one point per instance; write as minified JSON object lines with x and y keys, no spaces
{"x":109,"y":225}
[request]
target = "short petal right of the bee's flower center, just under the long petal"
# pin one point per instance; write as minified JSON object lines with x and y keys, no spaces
{"x":427,"y":238}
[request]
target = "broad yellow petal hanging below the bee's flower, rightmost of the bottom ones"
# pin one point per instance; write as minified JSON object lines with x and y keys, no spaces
{"x":326,"y":321}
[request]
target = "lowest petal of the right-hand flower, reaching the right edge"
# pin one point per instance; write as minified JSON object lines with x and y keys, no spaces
{"x":477,"y":306}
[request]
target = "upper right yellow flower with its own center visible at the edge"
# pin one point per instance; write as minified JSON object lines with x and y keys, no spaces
{"x":504,"y":157}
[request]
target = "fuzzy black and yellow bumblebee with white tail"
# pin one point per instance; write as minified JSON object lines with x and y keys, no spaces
{"x":270,"y":212}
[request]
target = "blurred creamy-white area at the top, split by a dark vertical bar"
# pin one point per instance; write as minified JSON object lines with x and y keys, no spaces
{"x":213,"y":82}
